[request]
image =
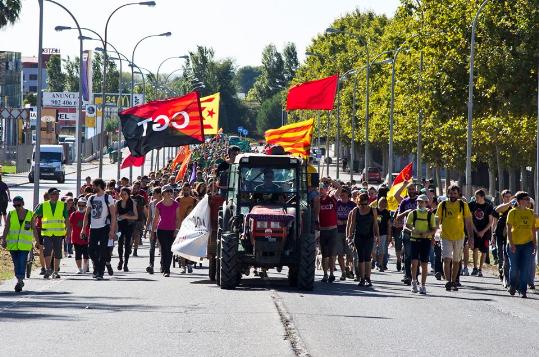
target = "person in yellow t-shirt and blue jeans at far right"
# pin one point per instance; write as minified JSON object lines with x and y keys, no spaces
{"x":521,"y":244}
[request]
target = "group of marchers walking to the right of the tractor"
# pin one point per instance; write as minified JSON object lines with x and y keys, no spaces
{"x":355,"y":228}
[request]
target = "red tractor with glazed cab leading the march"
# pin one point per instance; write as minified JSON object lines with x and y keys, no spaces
{"x":265,"y":221}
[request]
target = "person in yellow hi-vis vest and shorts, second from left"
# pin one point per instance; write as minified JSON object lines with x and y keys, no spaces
{"x":54,"y":226}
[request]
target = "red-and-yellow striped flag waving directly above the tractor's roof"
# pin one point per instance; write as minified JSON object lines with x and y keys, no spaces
{"x":294,"y":138}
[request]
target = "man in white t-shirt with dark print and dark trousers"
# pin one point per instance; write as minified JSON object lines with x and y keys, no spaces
{"x":101,"y":215}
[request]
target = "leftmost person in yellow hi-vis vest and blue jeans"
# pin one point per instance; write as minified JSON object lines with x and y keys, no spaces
{"x":18,"y":238}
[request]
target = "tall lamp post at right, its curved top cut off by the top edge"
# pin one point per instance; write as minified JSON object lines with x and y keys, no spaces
{"x":470,"y":105}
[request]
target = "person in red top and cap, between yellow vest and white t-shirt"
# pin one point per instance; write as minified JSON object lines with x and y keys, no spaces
{"x":80,"y":242}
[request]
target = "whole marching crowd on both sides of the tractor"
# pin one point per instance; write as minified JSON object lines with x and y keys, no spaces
{"x":353,"y":224}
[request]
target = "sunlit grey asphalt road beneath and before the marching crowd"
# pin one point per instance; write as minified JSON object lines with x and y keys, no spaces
{"x":148,"y":315}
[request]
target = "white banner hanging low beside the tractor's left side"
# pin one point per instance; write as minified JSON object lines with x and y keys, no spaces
{"x":192,"y":239}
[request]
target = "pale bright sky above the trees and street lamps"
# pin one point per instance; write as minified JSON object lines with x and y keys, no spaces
{"x":237,"y":29}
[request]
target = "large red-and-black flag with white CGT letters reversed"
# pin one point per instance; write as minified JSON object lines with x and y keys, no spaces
{"x":163,"y":123}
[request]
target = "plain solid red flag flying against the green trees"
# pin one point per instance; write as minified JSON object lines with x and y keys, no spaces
{"x":316,"y":95}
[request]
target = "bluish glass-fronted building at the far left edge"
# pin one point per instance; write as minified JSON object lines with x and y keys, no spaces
{"x":10,"y":79}
